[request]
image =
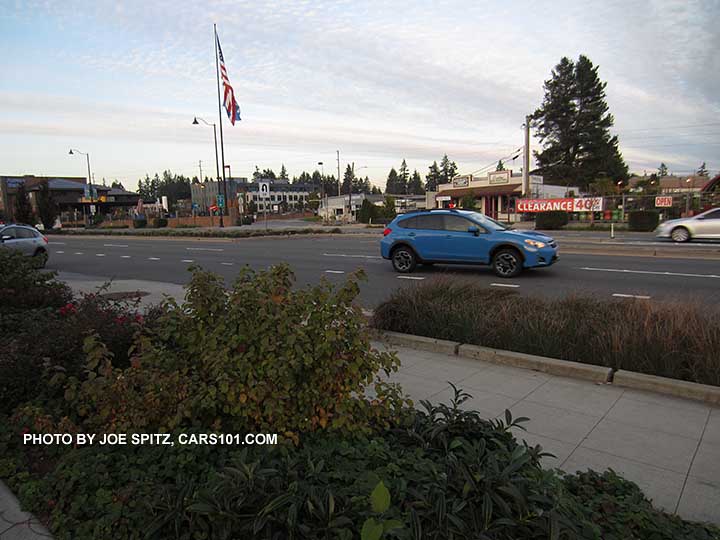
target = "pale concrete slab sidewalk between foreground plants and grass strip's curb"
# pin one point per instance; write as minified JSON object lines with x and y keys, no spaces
{"x":670,"y":447}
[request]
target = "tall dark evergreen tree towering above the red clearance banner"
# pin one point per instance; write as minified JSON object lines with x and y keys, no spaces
{"x":573,"y":125}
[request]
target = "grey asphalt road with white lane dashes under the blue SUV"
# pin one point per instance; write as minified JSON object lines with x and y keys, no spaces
{"x":333,"y":257}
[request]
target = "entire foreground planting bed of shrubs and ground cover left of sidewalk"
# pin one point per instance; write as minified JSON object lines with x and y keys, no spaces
{"x":263,"y":358}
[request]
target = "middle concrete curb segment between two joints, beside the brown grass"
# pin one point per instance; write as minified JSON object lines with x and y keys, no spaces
{"x":564,"y":368}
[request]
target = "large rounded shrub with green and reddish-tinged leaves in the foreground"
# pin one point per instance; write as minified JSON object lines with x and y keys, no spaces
{"x":260,"y":356}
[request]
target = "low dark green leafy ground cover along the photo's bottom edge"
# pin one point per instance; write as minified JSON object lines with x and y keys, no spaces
{"x":442,"y":473}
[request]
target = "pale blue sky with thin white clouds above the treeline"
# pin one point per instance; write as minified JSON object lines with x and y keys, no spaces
{"x":380,"y":81}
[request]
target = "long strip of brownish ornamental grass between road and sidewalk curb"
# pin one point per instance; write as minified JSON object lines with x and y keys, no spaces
{"x":656,"y":338}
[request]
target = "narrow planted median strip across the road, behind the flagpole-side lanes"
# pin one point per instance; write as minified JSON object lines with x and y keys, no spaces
{"x":196,"y":232}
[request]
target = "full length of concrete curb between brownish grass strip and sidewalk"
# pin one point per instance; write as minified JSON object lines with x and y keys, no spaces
{"x":564,"y":368}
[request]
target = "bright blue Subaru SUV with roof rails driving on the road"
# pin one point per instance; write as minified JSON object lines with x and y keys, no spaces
{"x":450,"y":236}
